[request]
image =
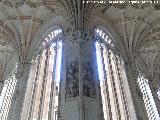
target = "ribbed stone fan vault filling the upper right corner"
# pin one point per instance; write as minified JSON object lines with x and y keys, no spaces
{"x":138,"y":26}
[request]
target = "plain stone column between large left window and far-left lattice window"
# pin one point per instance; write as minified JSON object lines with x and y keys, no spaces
{"x":20,"y":90}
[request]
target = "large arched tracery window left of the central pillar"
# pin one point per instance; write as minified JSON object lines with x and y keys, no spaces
{"x":44,"y":101}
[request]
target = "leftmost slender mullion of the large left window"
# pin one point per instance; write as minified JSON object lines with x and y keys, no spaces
{"x":32,"y":103}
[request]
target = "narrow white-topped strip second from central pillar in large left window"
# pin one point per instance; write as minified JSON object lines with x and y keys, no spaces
{"x":53,"y":87}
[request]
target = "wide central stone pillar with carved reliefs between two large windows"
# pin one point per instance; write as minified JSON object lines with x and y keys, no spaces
{"x":79,"y":87}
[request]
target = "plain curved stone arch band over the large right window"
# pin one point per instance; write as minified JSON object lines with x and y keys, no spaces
{"x":99,"y":19}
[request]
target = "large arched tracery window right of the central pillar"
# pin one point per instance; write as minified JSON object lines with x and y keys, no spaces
{"x":112,"y":77}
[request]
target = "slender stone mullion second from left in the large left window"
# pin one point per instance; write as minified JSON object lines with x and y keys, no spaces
{"x":41,"y":105}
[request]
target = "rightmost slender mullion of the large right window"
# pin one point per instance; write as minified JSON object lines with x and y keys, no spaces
{"x":125,"y":106}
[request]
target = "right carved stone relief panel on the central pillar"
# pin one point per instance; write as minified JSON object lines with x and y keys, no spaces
{"x":88,"y":81}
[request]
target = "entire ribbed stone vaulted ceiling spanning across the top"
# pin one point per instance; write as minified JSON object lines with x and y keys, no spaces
{"x":23,"y":22}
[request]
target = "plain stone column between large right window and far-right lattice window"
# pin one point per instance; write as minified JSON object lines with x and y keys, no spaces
{"x":132,"y":76}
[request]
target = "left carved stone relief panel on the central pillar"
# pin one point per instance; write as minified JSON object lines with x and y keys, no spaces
{"x":72,"y":80}
